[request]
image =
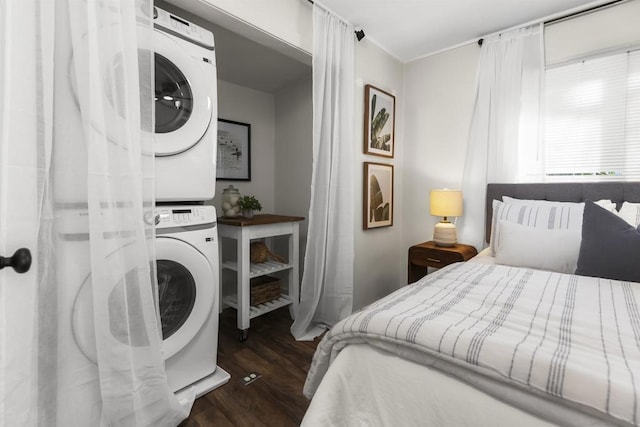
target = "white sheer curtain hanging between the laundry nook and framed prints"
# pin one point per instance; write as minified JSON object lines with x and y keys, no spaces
{"x":326,"y":294}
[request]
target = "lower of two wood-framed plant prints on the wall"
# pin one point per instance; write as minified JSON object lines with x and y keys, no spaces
{"x":377,"y":201}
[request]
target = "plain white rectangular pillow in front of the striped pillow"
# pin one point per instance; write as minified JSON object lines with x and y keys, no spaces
{"x":522,"y":246}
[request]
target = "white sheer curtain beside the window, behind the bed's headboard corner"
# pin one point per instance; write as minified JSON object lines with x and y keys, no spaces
{"x":503,"y":135}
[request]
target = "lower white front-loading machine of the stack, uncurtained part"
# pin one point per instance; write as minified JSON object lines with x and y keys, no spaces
{"x":187,"y":266}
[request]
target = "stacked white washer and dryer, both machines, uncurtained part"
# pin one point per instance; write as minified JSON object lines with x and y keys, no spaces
{"x":186,"y":233}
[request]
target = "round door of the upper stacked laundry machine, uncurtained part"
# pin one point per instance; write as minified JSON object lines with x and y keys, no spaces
{"x":183,"y":104}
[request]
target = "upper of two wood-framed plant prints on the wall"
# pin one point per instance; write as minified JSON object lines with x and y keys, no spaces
{"x":379,"y":122}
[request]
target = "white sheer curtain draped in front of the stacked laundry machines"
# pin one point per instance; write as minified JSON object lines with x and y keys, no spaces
{"x":80,"y":340}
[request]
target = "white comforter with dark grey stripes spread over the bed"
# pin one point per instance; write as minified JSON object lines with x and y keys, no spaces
{"x":570,"y":337}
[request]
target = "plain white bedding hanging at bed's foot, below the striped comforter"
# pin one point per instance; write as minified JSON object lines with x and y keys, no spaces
{"x":371,"y":387}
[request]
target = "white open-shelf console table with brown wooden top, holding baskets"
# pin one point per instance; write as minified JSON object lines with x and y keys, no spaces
{"x":244,"y":230}
